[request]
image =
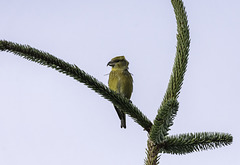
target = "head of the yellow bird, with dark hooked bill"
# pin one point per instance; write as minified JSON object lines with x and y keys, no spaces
{"x":118,"y":62}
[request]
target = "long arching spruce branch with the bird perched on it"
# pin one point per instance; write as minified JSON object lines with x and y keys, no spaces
{"x":73,"y":71}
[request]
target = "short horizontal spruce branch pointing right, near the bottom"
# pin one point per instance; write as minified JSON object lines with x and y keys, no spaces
{"x":192,"y":142}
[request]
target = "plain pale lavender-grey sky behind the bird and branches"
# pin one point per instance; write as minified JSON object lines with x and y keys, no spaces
{"x":49,"y":118}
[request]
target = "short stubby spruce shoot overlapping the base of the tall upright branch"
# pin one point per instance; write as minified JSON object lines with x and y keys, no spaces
{"x":164,"y":120}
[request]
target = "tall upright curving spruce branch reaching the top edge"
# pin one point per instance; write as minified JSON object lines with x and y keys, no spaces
{"x":182,"y":52}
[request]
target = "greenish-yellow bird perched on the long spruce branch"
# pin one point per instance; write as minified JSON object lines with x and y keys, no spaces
{"x":120,"y":81}
